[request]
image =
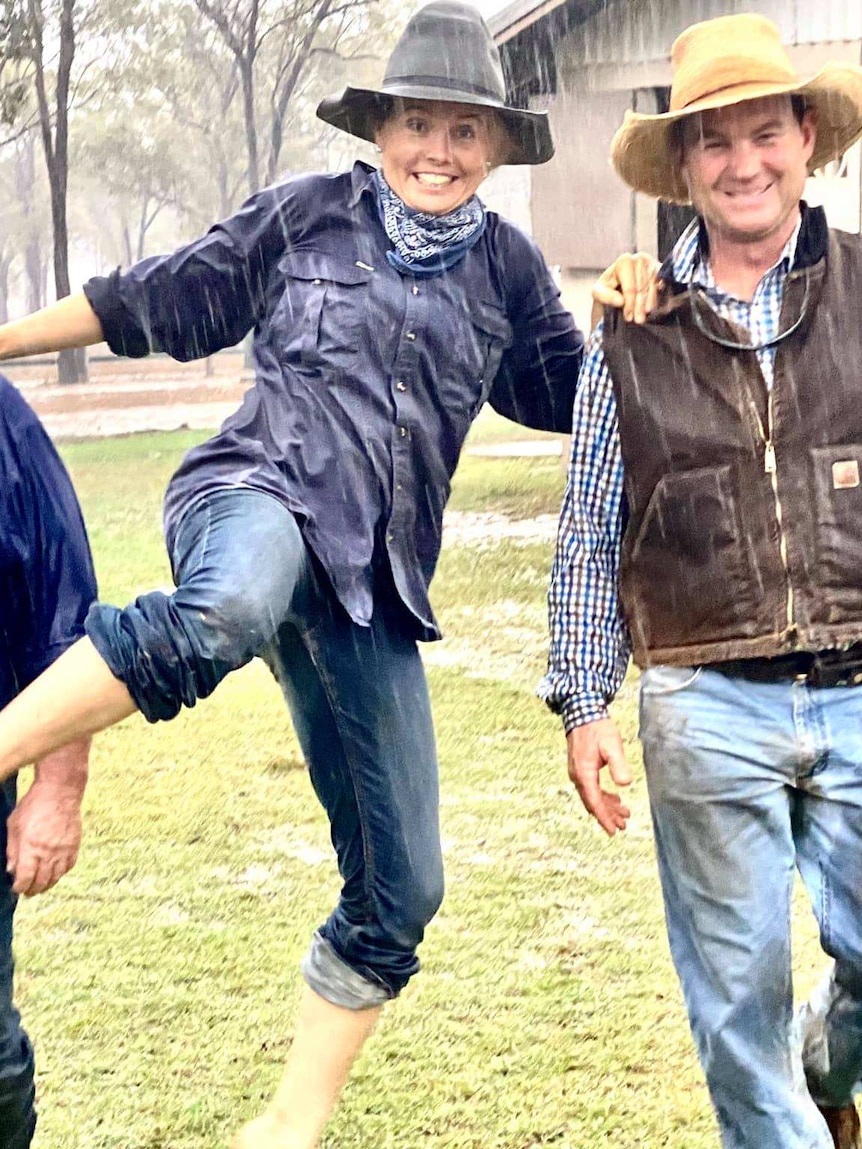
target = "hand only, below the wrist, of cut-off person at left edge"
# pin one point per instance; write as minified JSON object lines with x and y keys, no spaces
{"x":44,"y":837}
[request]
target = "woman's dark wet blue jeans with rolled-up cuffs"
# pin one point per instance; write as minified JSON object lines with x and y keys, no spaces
{"x":247,"y":587}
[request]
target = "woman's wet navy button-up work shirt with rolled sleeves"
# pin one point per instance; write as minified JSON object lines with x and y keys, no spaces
{"x":366,"y":381}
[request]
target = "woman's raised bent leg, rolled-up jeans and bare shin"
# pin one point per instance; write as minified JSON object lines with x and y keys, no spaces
{"x":238,"y":560}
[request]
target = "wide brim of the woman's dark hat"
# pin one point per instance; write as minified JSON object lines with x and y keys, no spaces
{"x":361,"y":111}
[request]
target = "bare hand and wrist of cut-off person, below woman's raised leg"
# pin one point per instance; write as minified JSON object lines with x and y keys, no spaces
{"x":44,"y":830}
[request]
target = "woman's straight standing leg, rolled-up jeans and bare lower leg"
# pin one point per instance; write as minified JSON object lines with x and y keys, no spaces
{"x":360,"y":706}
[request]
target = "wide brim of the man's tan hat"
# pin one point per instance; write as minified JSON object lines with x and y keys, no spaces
{"x":644,"y":153}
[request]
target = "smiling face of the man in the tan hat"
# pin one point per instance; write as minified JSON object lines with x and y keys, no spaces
{"x":746,"y":166}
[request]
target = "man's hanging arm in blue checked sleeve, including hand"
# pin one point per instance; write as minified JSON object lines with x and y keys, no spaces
{"x":590,"y":644}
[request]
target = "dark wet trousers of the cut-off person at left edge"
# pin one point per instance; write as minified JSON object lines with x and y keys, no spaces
{"x":18,"y":1112}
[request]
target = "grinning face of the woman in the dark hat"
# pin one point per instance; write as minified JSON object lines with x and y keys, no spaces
{"x":436,"y":155}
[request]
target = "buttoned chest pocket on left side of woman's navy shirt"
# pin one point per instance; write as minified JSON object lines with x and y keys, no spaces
{"x":324,"y":314}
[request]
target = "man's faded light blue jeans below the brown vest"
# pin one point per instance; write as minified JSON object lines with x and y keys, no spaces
{"x":749,"y":781}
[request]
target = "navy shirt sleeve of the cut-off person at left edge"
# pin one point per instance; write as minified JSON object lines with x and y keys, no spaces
{"x":47,"y":574}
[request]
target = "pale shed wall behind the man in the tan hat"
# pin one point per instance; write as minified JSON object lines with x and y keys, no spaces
{"x":622,"y":55}
